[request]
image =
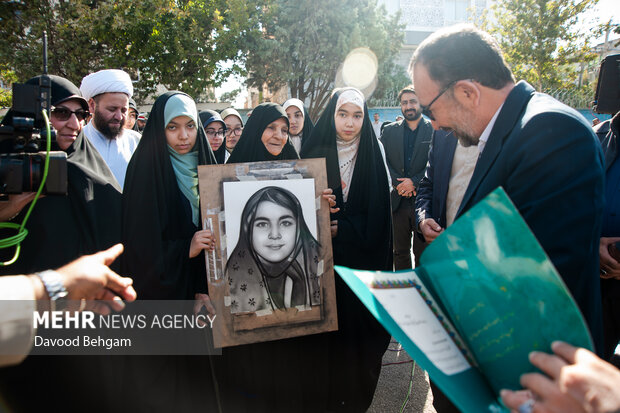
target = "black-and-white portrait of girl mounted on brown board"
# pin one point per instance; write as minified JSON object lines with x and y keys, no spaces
{"x":271,"y":274}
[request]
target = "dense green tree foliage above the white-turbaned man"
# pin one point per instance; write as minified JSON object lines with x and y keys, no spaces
{"x":178,"y":44}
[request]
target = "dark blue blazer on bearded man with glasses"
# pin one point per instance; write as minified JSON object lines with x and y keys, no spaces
{"x":550,"y":163}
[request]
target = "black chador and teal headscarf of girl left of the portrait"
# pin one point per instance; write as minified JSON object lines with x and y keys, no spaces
{"x":159,"y":221}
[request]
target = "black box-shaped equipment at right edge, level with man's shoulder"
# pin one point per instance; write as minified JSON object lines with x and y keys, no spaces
{"x":607,"y":97}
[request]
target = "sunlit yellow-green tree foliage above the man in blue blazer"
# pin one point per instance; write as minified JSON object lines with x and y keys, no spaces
{"x":539,"y":39}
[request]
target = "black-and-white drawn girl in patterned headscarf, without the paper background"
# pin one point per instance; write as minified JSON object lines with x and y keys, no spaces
{"x":274,"y":264}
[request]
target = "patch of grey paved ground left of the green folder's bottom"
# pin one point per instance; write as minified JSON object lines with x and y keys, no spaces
{"x":394,"y":385}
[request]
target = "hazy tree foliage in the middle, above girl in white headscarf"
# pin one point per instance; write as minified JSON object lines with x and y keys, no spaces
{"x":303,"y":43}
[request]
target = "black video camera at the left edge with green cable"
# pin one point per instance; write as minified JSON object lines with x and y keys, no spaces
{"x":21,"y":159}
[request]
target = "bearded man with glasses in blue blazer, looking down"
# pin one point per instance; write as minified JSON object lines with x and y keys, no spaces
{"x":543,"y":153}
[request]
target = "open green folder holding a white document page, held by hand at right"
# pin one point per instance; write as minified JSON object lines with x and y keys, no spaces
{"x":485,"y":295}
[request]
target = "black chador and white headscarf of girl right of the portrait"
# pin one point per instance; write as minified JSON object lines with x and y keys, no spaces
{"x":364,"y":241}
